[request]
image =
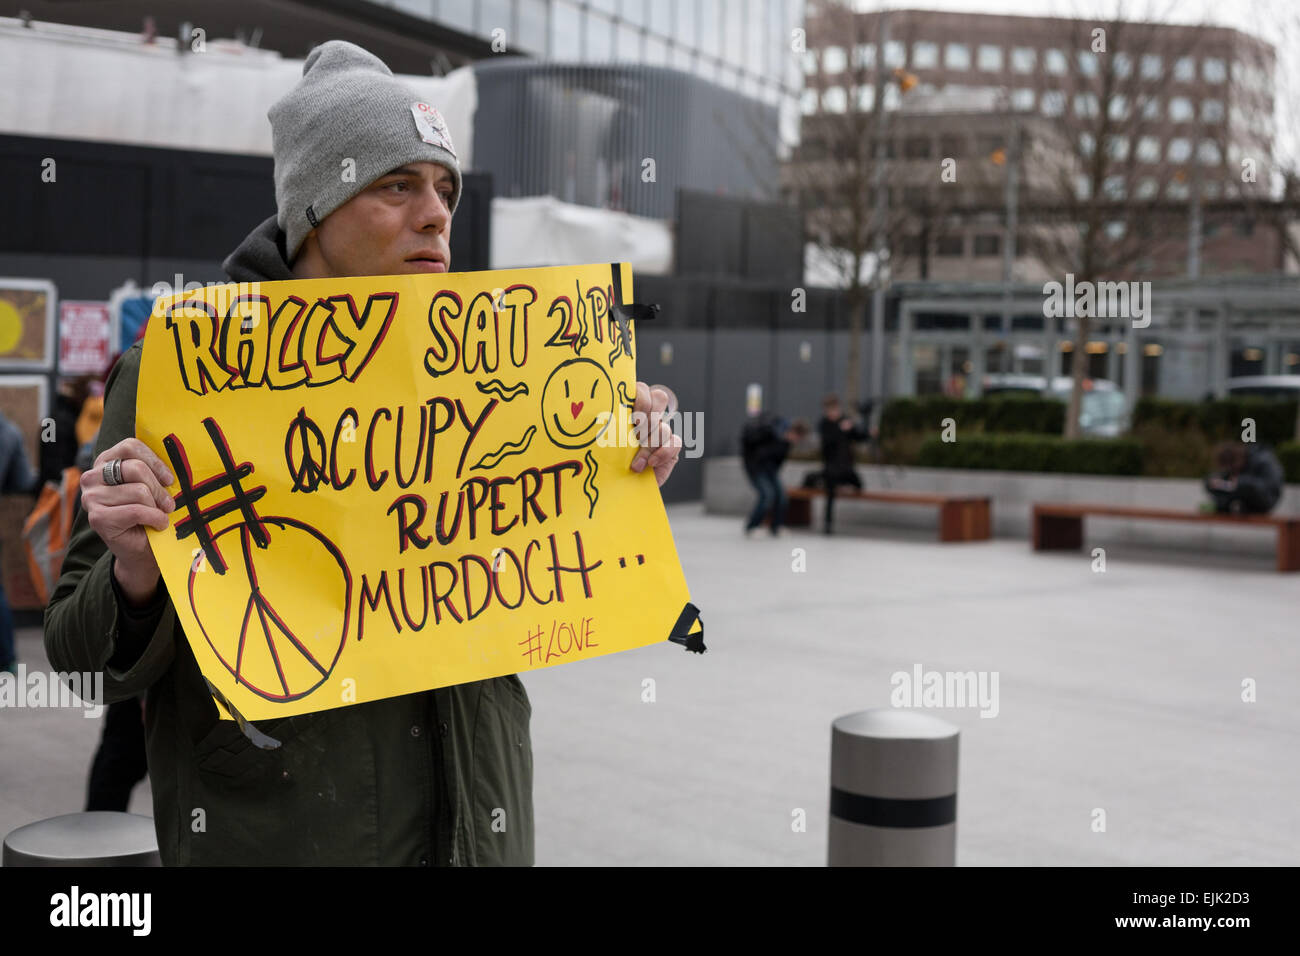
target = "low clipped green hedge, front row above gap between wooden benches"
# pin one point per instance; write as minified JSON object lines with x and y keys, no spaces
{"x":1035,"y":453}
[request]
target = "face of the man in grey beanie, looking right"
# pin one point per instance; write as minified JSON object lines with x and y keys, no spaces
{"x":397,"y":226}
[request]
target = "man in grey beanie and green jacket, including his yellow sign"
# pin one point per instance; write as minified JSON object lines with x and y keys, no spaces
{"x":350,"y":759}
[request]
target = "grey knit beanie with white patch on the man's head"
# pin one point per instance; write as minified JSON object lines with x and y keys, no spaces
{"x":348,"y":106}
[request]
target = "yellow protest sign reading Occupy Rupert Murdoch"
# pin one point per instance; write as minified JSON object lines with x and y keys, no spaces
{"x":398,"y":483}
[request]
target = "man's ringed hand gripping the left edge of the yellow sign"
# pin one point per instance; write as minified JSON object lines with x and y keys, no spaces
{"x":120,"y":513}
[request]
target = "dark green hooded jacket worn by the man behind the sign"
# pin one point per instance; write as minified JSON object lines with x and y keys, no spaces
{"x":437,"y":778}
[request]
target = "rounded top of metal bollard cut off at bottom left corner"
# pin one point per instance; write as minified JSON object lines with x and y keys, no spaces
{"x":97,"y":838}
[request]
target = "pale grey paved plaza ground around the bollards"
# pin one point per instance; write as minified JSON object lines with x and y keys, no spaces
{"x":1117,"y":690}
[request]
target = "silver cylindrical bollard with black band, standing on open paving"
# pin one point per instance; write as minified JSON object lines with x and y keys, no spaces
{"x":894,"y":790}
